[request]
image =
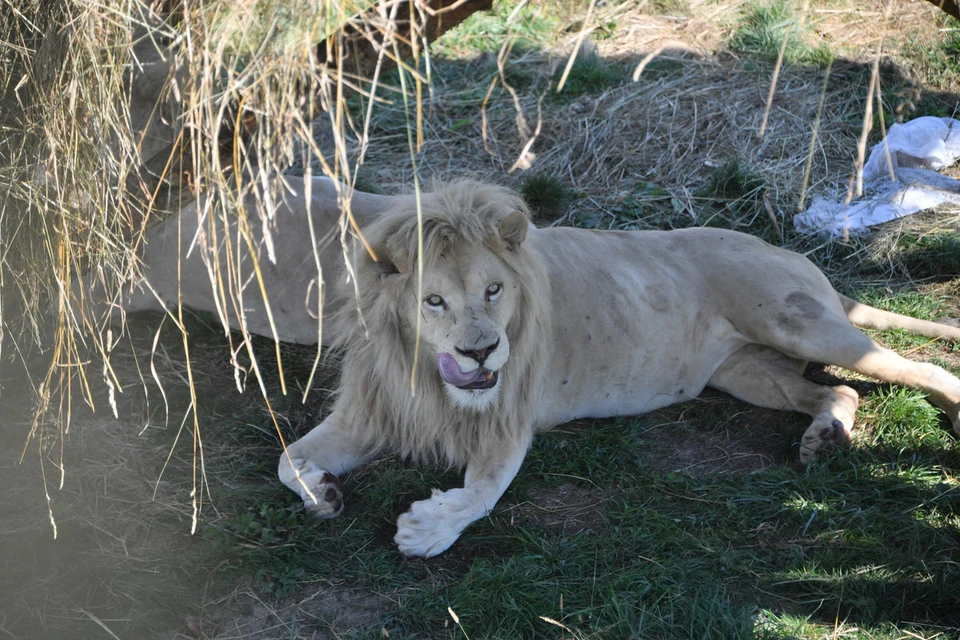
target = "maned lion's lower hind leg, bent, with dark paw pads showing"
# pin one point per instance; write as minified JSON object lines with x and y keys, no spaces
{"x":767,"y":378}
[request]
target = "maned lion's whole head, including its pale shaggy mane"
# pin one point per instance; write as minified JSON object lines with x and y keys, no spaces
{"x":479,"y":313}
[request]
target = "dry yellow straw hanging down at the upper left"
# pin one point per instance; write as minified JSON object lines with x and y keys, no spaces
{"x":116,"y":113}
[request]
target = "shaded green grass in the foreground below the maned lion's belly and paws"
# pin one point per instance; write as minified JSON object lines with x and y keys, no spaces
{"x":867,"y":537}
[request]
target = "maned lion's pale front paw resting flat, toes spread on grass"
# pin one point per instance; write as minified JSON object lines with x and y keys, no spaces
{"x":430,"y":526}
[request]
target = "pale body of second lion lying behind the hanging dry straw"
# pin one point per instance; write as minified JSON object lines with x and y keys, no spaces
{"x":192,"y":259}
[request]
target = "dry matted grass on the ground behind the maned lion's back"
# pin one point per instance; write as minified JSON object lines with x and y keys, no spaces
{"x":689,"y":113}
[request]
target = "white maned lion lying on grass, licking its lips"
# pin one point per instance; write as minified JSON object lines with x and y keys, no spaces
{"x":517,"y":329}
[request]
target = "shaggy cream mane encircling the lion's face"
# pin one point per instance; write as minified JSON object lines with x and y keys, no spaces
{"x":375,"y":395}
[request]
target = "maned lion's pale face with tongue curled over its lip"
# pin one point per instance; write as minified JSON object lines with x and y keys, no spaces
{"x":469,"y":296}
